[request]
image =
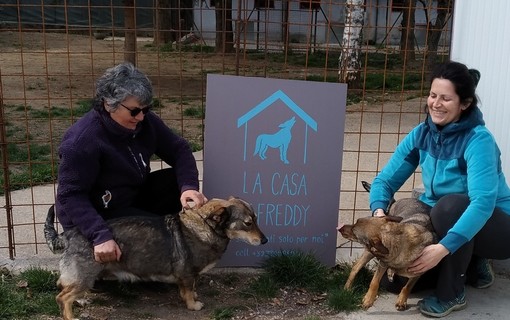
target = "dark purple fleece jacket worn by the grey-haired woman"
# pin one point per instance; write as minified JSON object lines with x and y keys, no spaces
{"x":97,"y":156}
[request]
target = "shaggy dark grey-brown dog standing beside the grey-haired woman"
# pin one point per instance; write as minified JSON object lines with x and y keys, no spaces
{"x":173,"y":249}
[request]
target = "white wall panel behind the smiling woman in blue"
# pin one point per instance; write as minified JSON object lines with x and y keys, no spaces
{"x":481,"y":39}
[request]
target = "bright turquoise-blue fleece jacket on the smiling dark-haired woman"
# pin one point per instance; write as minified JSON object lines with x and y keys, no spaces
{"x":461,"y":157}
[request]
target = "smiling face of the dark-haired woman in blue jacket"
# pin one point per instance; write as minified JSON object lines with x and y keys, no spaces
{"x":443,"y":103}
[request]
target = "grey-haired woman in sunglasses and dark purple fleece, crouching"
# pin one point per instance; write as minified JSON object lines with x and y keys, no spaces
{"x":104,"y":162}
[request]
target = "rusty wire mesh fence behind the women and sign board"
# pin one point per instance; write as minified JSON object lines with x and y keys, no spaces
{"x":52,"y":53}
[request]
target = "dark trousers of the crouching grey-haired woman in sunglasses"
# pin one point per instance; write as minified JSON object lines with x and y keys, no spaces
{"x":159,"y":196}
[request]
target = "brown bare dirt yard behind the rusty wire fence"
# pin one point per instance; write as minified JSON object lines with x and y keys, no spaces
{"x":47,"y":70}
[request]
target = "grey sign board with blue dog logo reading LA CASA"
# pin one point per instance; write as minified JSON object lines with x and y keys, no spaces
{"x":278,"y":145}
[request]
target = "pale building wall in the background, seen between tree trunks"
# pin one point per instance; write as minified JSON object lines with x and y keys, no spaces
{"x":382,"y":24}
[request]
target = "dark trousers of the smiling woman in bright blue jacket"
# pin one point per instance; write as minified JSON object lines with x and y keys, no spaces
{"x":490,"y":242}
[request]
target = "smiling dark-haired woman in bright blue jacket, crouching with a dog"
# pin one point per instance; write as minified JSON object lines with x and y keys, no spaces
{"x":464,"y":186}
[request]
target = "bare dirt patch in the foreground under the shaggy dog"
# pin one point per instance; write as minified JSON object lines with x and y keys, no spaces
{"x":218,"y":292}
